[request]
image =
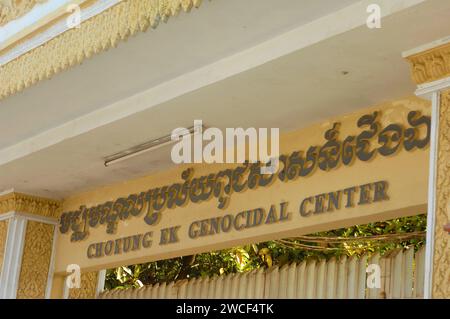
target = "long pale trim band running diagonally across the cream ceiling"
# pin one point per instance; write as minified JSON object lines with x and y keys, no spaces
{"x":299,"y":38}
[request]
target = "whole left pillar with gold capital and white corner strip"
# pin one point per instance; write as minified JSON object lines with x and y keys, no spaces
{"x":28,"y":227}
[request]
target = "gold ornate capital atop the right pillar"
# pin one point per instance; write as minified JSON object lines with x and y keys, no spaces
{"x":430,"y":65}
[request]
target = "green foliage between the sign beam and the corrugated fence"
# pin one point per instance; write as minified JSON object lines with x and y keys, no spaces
{"x":268,"y":254}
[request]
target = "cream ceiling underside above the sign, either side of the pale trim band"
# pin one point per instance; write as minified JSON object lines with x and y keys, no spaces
{"x":291,"y":91}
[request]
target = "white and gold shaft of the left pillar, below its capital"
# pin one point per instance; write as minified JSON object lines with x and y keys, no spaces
{"x":27,"y":251}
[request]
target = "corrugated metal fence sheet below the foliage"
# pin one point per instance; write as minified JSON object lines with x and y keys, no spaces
{"x":402,"y":276}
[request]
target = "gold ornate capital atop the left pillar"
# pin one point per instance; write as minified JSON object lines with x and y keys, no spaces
{"x":29,"y":204}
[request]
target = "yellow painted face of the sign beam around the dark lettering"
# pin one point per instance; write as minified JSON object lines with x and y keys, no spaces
{"x":406,"y":173}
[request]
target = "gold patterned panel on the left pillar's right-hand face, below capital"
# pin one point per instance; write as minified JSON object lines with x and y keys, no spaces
{"x":36,"y":257}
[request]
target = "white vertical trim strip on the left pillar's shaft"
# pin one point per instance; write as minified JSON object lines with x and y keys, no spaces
{"x":9,"y":278}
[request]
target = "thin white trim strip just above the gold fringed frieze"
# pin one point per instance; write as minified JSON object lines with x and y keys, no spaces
{"x":55,"y":30}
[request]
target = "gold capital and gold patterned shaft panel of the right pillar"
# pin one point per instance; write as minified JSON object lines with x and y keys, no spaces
{"x":427,"y":67}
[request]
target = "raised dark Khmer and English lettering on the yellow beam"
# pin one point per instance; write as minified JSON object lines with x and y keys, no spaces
{"x":374,"y":140}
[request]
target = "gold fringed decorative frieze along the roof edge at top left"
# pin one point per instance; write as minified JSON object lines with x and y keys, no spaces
{"x":95,"y":35}
